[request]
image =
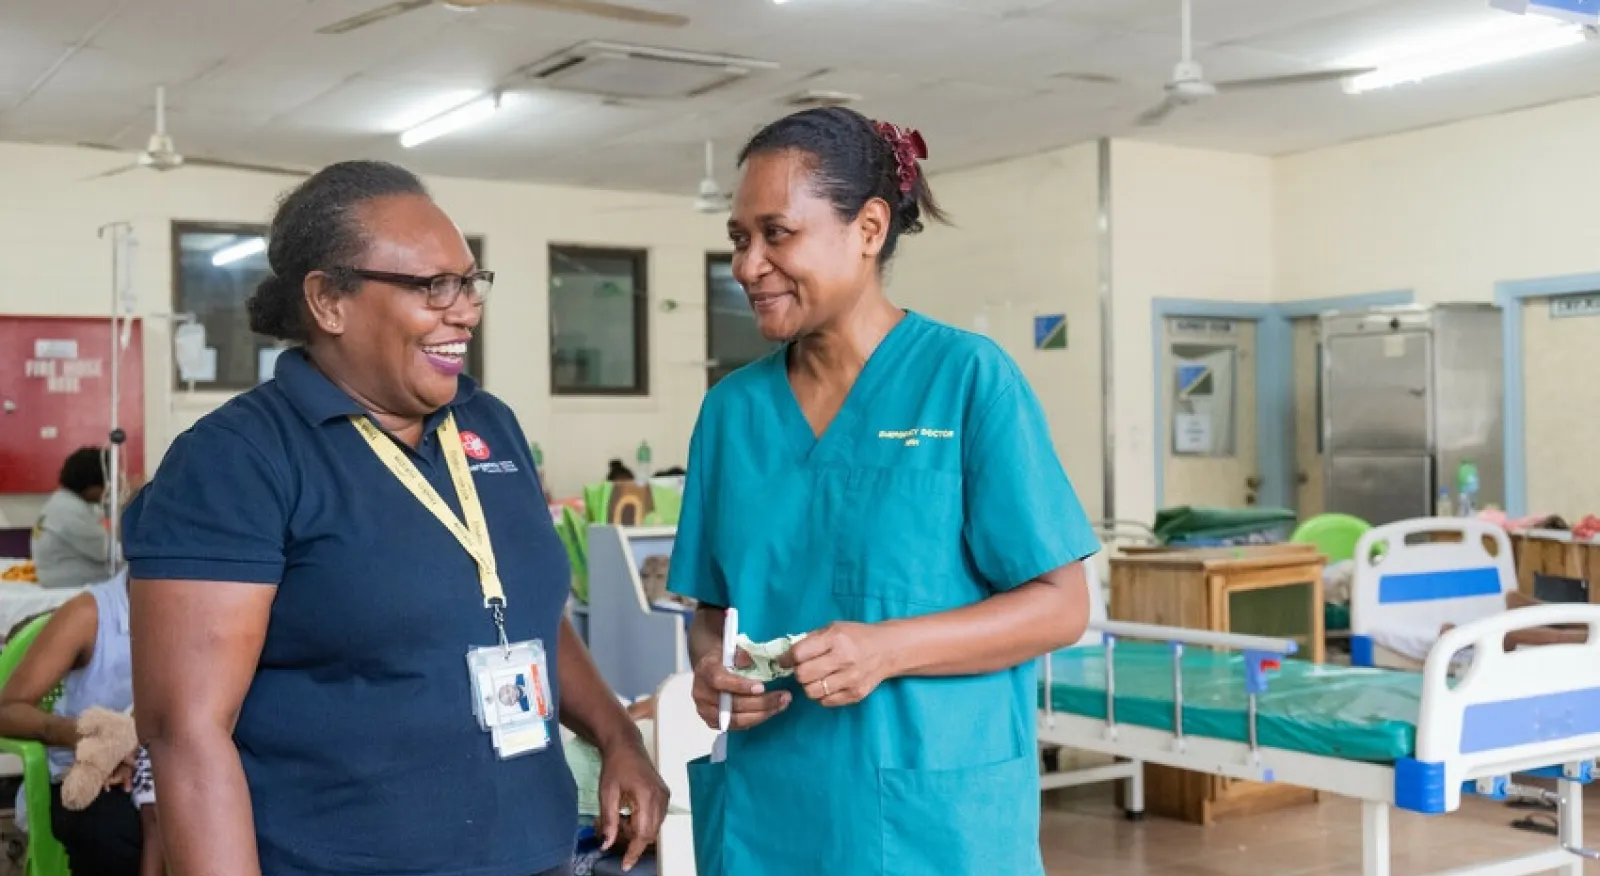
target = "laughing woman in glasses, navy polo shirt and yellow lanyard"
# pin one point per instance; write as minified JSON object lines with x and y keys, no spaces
{"x":348,"y":592}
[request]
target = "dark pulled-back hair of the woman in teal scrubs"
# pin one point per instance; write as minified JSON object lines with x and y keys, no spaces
{"x":850,"y":164}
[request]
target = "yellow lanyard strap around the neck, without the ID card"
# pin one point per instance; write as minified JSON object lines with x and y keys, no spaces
{"x":474,"y":536}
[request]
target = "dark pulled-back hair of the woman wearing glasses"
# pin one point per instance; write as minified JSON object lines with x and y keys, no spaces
{"x":318,"y":229}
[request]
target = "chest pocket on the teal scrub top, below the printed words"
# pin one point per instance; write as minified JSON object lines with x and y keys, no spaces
{"x":900,"y":538}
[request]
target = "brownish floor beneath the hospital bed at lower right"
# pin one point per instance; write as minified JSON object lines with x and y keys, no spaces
{"x":1084,"y":835}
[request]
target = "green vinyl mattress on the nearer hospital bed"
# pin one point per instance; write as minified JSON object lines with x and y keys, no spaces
{"x":1342,"y":712}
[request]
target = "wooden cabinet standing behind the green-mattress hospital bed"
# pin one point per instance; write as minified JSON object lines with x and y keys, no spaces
{"x":1271,"y":591}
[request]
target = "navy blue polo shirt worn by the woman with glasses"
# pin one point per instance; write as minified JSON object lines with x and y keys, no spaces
{"x":358,"y":735}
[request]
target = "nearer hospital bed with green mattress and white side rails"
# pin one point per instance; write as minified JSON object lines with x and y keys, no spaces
{"x":1234,"y":706}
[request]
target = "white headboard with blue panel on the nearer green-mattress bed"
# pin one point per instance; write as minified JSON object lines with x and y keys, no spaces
{"x":1508,"y":712}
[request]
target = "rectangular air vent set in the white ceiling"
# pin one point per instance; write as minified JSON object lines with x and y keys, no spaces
{"x":623,"y":71}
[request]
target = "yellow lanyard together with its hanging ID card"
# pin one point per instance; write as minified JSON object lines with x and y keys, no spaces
{"x":511,"y":685}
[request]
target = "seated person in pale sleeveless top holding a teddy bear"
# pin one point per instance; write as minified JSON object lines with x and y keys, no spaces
{"x":84,"y":648}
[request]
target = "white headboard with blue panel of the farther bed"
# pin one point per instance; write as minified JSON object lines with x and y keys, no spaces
{"x":1415,"y":576}
